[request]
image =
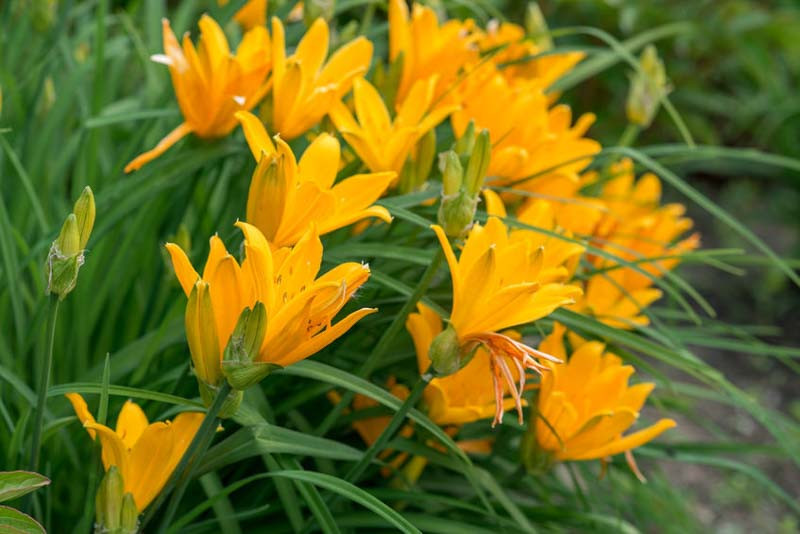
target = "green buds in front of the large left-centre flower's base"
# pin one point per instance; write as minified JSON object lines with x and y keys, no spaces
{"x":238,"y":364}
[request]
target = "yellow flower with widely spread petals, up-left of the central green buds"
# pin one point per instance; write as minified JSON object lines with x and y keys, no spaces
{"x":384,"y":144}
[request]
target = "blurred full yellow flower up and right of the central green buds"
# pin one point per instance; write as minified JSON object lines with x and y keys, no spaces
{"x":531,"y":140}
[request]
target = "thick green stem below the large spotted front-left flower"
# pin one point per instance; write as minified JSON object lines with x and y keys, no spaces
{"x":183,"y":472}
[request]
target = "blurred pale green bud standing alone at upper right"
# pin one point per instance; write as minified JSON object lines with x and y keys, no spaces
{"x":647,"y":88}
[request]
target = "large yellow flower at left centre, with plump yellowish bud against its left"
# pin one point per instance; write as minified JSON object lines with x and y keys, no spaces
{"x":300,"y":306}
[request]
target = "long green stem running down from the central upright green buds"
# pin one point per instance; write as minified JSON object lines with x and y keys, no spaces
{"x":385,"y":341}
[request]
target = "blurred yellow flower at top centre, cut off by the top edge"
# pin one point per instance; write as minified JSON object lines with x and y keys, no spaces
{"x":428,"y":49}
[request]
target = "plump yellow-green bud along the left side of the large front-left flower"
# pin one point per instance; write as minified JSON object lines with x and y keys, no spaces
{"x":201,"y":333}
